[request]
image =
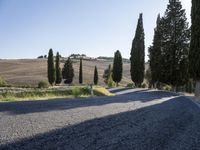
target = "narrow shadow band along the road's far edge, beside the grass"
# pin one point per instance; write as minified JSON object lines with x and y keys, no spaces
{"x":63,"y":104}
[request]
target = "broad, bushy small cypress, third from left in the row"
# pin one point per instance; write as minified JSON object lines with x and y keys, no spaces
{"x":68,"y":72}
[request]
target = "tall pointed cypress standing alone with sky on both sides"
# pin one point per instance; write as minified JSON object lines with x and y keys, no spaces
{"x":137,"y":54}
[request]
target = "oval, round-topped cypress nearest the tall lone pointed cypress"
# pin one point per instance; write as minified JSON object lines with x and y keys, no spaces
{"x":117,"y":67}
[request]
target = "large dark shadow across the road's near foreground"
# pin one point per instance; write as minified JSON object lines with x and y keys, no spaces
{"x":160,"y":127}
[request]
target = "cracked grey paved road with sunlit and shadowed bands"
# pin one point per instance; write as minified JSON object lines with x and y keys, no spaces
{"x":149,"y":120}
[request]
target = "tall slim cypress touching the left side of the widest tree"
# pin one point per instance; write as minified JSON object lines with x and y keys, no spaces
{"x":155,"y":55}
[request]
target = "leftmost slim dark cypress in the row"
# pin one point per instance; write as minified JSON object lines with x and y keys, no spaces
{"x":51,"y":68}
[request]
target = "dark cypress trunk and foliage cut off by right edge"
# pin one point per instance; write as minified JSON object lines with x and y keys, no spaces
{"x":194,"y":53}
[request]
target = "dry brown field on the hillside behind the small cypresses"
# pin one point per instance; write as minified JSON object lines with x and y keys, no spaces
{"x":31,"y":71}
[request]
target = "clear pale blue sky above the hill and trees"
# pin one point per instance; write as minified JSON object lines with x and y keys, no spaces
{"x":29,"y":28}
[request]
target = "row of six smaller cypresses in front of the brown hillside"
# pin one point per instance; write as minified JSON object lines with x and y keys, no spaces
{"x":55,"y":74}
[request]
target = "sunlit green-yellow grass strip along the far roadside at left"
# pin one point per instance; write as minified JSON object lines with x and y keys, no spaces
{"x":42,"y":94}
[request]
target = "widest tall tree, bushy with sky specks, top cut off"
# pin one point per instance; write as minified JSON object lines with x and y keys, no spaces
{"x":175,"y":45}
